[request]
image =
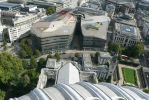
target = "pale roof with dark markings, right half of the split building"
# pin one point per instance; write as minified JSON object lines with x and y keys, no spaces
{"x":95,"y":26}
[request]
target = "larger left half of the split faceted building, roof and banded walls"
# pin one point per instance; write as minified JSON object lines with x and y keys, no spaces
{"x":54,"y":33}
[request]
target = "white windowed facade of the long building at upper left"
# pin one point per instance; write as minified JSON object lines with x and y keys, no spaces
{"x":23,"y":24}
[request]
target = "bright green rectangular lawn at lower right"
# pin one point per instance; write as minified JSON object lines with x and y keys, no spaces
{"x":129,"y":76}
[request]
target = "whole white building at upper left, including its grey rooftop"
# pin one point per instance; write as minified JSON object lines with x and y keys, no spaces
{"x":19,"y":23}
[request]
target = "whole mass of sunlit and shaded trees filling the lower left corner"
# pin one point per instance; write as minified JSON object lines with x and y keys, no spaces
{"x":15,"y":78}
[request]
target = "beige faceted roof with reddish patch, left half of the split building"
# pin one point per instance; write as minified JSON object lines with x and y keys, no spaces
{"x":61,"y":23}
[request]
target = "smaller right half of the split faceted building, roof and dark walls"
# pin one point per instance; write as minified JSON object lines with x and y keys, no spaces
{"x":94,"y":26}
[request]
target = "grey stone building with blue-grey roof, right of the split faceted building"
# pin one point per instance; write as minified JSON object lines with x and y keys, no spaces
{"x":126,"y":35}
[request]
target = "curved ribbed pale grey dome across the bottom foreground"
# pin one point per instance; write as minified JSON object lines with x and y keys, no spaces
{"x":86,"y":91}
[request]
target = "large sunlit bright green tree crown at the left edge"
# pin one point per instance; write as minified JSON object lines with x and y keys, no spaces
{"x":9,"y":66}
